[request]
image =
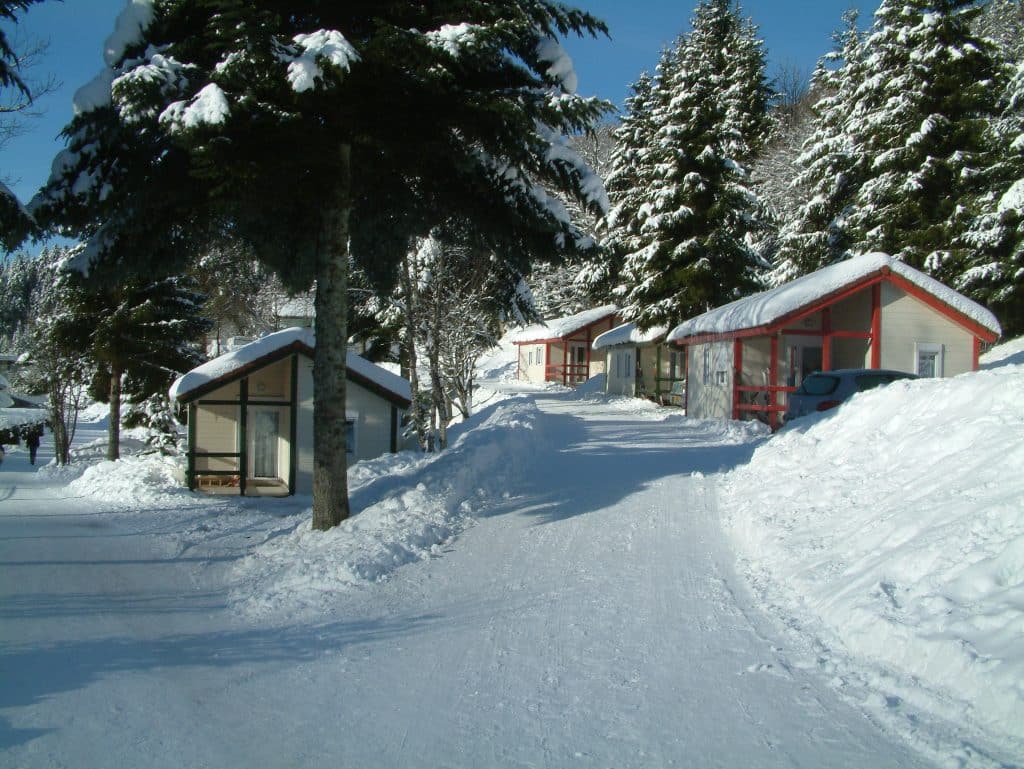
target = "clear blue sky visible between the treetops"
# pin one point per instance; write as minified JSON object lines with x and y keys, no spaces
{"x":796,"y":33}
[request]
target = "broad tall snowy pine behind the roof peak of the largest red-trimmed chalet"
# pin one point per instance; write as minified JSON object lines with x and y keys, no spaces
{"x":923,"y":119}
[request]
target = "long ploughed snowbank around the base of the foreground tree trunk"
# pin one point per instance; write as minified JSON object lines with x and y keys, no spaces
{"x":403,"y":518}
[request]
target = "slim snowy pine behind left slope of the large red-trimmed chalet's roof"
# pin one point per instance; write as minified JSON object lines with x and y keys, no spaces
{"x":831,"y":165}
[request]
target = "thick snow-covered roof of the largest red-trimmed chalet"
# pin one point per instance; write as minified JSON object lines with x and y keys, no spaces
{"x":772,"y":307}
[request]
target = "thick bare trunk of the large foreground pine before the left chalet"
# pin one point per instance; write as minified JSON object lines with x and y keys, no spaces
{"x":331,"y":306}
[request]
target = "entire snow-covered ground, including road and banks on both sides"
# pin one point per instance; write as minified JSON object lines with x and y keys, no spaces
{"x":557,"y":590}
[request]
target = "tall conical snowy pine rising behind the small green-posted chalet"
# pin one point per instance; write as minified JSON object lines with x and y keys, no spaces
{"x":699,"y":216}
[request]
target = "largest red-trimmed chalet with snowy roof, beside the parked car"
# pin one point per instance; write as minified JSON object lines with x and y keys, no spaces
{"x":872,"y":312}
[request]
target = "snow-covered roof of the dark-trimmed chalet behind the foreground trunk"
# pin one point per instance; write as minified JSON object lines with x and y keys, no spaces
{"x":223,"y":368}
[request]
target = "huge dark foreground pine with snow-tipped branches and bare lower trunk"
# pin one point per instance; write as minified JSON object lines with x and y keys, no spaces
{"x":340,"y":123}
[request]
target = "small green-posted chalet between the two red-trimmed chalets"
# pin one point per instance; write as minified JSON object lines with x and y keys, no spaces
{"x":643,"y":364}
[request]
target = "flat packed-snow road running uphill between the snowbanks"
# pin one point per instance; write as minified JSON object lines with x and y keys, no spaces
{"x":591,"y":619}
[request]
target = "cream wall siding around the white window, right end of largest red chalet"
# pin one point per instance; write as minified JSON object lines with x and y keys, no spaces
{"x":907,"y":321}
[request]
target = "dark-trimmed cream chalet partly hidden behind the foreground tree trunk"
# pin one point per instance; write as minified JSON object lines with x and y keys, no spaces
{"x":251,"y":416}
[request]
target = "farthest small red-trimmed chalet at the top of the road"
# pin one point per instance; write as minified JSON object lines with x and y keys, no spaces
{"x":561,"y":351}
